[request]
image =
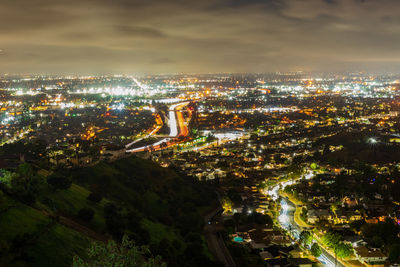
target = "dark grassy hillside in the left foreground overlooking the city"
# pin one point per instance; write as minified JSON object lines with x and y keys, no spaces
{"x":155,"y":206}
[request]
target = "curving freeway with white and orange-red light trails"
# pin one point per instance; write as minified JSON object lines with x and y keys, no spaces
{"x":174,"y":112}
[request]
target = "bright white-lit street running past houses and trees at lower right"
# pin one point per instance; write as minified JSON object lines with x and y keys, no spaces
{"x":286,"y":220}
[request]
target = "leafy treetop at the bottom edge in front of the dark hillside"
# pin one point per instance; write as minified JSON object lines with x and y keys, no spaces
{"x":124,"y":255}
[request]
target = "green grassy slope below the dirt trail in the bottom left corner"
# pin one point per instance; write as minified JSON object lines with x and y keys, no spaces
{"x":42,"y":241}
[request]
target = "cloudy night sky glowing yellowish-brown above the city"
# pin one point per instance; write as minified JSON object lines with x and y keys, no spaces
{"x":168,"y":36}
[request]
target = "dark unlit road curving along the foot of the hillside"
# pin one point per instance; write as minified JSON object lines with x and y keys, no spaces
{"x":215,"y":240}
